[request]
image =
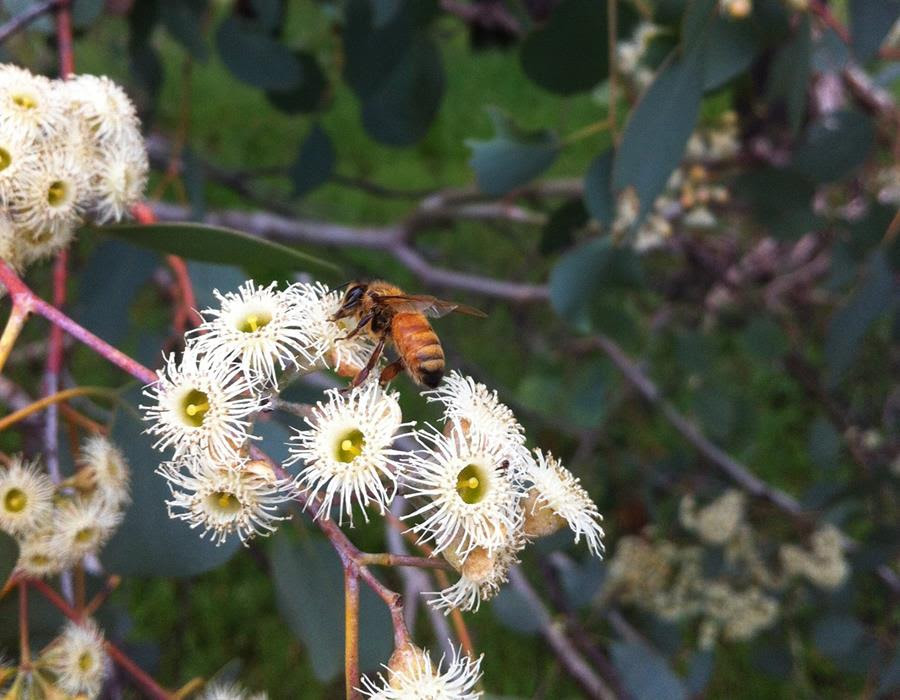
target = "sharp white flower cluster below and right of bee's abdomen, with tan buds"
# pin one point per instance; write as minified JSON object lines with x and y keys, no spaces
{"x":485,"y":496}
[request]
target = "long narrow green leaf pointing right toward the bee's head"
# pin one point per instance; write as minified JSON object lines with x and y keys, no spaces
{"x":215,"y":244}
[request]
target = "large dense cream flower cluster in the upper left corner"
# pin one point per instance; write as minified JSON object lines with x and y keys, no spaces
{"x":70,"y":151}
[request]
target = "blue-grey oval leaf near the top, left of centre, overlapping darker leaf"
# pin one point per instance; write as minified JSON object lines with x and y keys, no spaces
{"x":255,"y":58}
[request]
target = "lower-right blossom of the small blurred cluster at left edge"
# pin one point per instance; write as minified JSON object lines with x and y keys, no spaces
{"x":81,"y":526}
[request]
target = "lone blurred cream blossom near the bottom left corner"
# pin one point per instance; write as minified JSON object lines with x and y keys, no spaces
{"x":77,"y":659}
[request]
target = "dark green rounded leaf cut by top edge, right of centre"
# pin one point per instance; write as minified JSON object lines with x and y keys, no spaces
{"x":569,"y":53}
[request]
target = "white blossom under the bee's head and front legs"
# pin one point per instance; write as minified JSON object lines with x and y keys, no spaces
{"x":327,"y":338}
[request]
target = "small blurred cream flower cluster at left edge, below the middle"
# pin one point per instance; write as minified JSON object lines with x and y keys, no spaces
{"x":58,"y":524}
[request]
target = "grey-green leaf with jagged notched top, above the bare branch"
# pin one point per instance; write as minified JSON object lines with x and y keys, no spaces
{"x":513,"y":157}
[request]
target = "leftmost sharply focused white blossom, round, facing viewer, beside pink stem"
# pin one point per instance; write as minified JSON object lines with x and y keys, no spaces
{"x":200,"y":406}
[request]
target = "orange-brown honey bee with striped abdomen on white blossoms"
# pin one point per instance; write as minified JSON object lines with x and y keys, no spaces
{"x":387,"y":313}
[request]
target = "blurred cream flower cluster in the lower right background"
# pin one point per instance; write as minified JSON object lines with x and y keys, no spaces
{"x":670,"y":580}
